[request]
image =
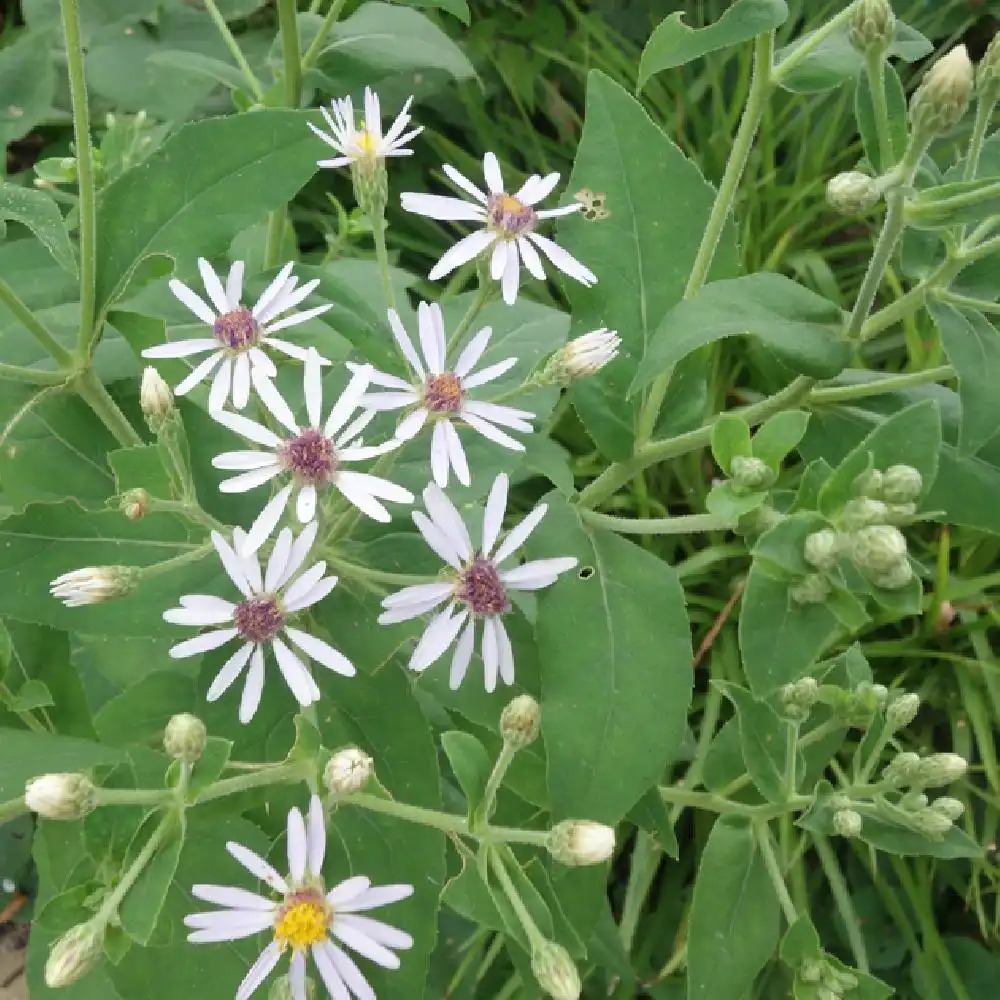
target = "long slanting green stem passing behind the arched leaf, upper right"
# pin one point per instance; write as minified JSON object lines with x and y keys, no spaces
{"x":760,"y":88}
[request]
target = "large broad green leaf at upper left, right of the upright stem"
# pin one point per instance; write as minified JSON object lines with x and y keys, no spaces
{"x":208,"y":181}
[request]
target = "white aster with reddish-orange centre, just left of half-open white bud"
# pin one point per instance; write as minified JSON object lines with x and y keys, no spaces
{"x":441,"y":393}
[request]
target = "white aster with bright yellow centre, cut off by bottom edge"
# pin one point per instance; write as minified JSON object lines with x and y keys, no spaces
{"x":306,"y":918}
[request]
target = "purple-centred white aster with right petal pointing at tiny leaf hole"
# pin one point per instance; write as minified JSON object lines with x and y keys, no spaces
{"x":476,"y":588}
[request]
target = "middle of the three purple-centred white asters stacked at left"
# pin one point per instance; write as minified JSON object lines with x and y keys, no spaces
{"x":314,"y":455}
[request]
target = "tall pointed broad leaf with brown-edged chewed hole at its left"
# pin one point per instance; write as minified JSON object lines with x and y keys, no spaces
{"x":641,"y":253}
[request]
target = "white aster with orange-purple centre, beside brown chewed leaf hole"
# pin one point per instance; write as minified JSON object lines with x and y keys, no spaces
{"x":509,"y":223}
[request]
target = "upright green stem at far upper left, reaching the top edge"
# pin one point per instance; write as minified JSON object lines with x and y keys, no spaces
{"x":85,"y":174}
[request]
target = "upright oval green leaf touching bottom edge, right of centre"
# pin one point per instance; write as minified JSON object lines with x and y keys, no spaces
{"x":734,"y":914}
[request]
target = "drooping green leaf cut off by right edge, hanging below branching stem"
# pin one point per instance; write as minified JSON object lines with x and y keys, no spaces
{"x":972,"y":344}
